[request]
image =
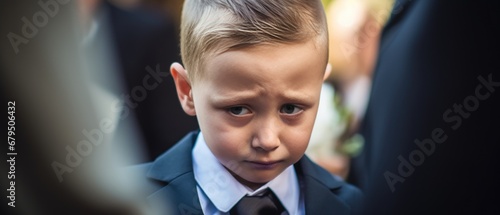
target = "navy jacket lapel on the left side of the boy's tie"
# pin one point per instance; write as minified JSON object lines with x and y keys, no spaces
{"x":175,"y":169}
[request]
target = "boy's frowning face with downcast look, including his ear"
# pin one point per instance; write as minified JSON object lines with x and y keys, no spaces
{"x":256,"y":106}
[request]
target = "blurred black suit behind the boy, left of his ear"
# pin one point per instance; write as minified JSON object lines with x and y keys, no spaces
{"x":141,"y":39}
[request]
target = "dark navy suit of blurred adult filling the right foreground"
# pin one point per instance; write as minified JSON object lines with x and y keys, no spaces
{"x":437,"y":79}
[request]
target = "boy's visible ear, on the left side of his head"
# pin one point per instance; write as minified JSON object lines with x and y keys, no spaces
{"x":183,"y":87}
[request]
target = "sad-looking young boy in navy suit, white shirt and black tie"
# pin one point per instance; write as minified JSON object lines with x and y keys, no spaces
{"x":252,"y":75}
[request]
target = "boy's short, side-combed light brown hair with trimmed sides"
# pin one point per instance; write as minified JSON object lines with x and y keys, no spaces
{"x":211,"y":27}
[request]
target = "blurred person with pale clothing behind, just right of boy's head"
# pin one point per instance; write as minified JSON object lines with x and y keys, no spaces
{"x":355,"y":27}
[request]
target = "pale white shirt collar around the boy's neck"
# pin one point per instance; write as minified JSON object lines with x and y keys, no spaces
{"x":224,"y":191}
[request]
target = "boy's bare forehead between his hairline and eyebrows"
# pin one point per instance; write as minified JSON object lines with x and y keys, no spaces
{"x":267,"y":61}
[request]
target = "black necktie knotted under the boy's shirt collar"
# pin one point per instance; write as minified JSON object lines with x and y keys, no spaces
{"x":267,"y":204}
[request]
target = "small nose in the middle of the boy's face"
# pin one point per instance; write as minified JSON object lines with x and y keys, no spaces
{"x":267,"y":136}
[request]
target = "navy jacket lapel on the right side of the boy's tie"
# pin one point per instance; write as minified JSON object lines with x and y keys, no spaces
{"x":319,"y":188}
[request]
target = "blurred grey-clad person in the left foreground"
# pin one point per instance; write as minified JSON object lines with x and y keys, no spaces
{"x":65,"y":123}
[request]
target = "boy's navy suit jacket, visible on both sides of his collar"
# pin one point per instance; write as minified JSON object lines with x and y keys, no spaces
{"x":173,"y":172}
